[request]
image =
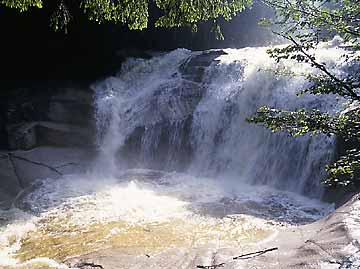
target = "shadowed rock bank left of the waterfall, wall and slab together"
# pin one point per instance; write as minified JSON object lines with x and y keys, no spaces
{"x":54,"y":125}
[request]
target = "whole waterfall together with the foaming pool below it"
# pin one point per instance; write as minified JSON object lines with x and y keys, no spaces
{"x":223,"y":182}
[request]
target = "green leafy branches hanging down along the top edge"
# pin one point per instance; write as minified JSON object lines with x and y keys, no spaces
{"x":135,"y":13}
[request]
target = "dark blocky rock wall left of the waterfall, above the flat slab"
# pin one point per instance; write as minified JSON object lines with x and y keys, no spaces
{"x":58,"y":117}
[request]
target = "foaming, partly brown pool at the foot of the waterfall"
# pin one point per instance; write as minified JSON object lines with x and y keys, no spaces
{"x":143,"y":212}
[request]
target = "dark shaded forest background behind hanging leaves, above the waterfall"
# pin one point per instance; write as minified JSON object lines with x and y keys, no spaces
{"x":30,"y":51}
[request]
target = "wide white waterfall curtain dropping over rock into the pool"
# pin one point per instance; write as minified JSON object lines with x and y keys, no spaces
{"x":186,"y":111}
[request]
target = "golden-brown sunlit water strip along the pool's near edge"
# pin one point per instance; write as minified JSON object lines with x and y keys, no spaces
{"x":54,"y":242}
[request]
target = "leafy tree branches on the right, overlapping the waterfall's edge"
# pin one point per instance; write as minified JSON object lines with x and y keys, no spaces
{"x":304,"y":24}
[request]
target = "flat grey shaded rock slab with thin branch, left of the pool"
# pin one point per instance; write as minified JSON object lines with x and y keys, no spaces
{"x":20,"y":169}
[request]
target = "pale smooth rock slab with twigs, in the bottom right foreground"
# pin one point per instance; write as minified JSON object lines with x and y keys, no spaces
{"x":324,"y":244}
